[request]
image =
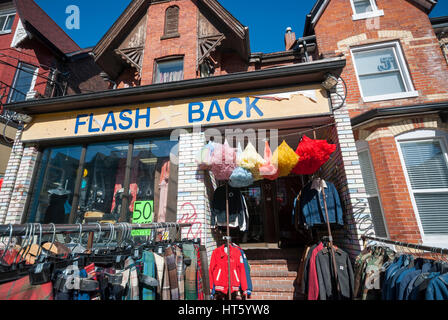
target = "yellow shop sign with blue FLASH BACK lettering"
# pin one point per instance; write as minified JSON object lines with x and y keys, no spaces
{"x":291,"y":102}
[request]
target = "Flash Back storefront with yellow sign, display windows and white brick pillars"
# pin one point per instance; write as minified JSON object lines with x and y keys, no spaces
{"x":133,"y":153}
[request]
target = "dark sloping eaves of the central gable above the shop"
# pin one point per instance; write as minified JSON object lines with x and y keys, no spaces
{"x":137,"y":8}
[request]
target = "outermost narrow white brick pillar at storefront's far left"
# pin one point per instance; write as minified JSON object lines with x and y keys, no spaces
{"x":9,"y":180}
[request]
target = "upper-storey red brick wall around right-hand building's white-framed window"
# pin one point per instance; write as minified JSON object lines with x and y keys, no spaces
{"x":420,"y":46}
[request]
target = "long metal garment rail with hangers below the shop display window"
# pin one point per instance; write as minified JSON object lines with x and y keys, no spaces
{"x":22,"y":229}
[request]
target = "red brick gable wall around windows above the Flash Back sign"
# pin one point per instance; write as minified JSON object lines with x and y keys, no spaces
{"x":185,"y":45}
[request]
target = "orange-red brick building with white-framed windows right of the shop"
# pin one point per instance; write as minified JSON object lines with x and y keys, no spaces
{"x":398,"y":108}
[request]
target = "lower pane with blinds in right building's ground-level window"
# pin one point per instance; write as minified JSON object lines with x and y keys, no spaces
{"x":433,"y":212}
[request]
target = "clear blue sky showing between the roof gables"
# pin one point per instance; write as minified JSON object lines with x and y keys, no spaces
{"x":267,"y":20}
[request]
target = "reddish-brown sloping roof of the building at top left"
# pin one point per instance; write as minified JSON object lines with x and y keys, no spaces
{"x":38,"y":22}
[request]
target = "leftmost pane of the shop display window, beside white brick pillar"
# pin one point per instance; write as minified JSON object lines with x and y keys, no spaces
{"x":55,"y":183}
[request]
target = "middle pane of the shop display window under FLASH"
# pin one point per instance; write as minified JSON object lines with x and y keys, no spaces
{"x":102,"y":184}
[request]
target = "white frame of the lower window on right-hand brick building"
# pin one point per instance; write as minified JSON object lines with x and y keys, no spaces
{"x":418,"y":136}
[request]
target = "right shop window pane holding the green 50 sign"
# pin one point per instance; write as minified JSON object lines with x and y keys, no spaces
{"x":154,"y":178}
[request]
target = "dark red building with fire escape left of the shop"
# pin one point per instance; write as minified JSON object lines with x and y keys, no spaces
{"x":37,"y":60}
